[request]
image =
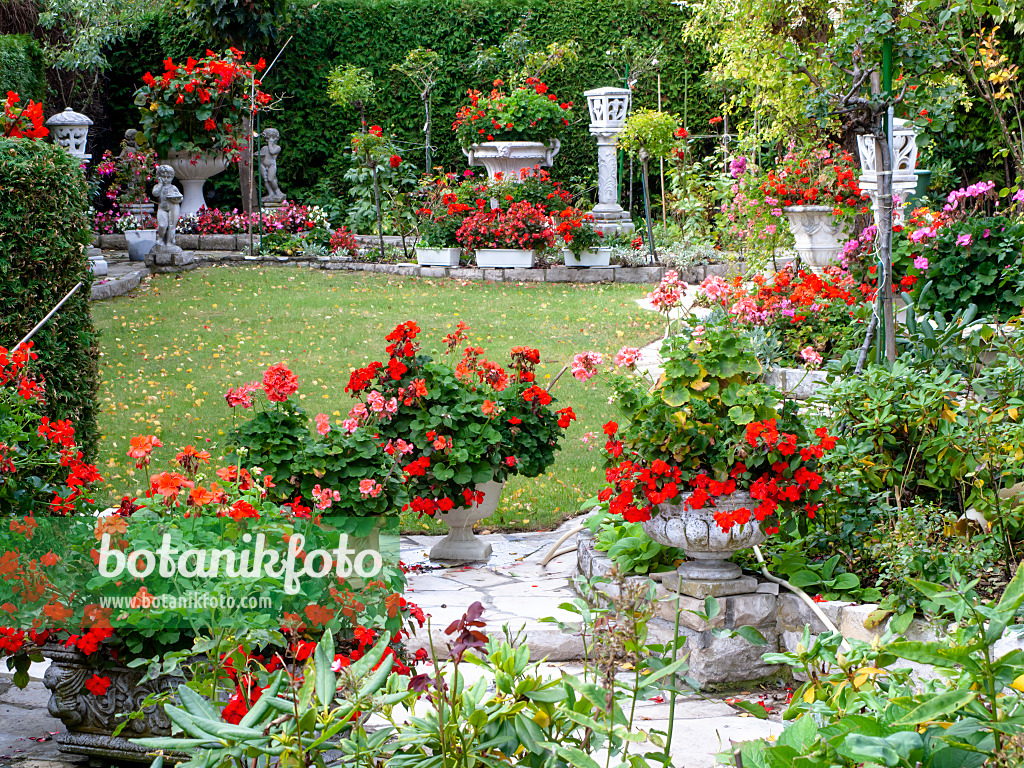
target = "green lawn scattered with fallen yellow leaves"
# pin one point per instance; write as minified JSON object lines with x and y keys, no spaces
{"x":169,"y":354}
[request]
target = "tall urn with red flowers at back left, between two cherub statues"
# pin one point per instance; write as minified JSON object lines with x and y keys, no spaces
{"x":194,"y":116}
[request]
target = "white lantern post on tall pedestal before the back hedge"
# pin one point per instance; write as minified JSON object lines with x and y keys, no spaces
{"x":609,"y":108}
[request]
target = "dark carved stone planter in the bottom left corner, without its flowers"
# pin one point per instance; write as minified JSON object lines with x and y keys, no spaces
{"x":92,"y":720}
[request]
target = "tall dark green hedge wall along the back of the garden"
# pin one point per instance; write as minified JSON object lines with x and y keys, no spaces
{"x":377,"y":34}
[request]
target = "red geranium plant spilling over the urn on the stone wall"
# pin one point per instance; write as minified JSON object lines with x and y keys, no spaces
{"x":704,"y":432}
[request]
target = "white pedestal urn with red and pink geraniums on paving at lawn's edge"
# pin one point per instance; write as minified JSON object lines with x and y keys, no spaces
{"x":461,"y":424}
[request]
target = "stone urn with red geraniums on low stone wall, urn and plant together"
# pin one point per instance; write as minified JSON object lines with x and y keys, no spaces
{"x":708,"y":459}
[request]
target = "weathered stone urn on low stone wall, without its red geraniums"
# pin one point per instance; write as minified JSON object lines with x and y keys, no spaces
{"x":696,"y":532}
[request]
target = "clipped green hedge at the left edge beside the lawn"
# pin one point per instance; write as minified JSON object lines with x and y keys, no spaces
{"x":45,"y":230}
